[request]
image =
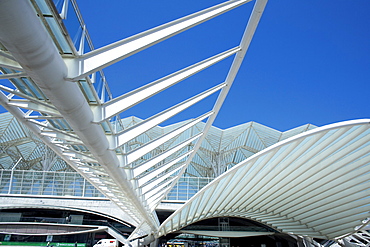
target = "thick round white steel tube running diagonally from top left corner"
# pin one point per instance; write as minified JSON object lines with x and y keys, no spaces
{"x":31,"y":46}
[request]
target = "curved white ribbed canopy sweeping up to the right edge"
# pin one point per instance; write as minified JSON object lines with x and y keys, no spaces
{"x":313,"y":184}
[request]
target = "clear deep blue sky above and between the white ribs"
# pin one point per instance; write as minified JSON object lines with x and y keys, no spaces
{"x":308,"y":61}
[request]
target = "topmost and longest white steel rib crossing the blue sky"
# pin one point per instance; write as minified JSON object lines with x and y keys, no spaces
{"x":110,"y":54}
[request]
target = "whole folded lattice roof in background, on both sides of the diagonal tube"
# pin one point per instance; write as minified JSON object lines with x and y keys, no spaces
{"x":230,"y":146}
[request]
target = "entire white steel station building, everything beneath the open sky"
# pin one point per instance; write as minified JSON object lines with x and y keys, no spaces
{"x":74,"y":170}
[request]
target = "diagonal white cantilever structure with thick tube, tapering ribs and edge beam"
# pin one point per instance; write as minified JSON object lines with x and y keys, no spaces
{"x":52,"y":91}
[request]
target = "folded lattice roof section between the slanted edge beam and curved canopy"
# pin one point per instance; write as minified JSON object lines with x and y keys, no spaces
{"x":223,"y":149}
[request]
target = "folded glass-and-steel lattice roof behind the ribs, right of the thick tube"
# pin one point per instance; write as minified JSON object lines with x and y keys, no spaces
{"x":220,"y":150}
